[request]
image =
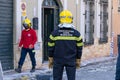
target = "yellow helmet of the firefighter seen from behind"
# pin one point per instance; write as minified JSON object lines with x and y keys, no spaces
{"x":66,"y":17}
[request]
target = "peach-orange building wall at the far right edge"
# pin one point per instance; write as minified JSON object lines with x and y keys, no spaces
{"x":115,"y":23}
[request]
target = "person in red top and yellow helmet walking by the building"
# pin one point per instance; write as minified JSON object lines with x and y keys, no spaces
{"x":27,"y":42}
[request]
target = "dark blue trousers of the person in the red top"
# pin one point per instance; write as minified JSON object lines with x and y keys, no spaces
{"x":24,"y":52}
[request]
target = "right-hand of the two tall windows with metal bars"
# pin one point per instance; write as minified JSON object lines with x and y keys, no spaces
{"x":103,"y":21}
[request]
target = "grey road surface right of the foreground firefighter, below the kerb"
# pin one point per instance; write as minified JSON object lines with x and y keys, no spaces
{"x":99,"y":71}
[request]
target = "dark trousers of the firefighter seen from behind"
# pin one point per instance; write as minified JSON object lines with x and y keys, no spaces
{"x":58,"y":71}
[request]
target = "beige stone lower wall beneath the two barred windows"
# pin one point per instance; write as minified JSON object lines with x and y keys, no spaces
{"x":96,"y":50}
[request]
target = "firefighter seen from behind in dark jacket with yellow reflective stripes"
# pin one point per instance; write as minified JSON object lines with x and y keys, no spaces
{"x":65,"y":48}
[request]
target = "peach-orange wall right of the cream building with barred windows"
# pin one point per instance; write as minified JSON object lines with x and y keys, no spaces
{"x":115,"y":23}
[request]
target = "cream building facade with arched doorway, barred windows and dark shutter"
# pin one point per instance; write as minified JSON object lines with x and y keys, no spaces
{"x":91,"y":17}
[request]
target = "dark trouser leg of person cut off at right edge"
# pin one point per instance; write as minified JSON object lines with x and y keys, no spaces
{"x":118,"y":65}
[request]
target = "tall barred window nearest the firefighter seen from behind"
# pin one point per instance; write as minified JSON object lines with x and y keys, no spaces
{"x":89,"y":22}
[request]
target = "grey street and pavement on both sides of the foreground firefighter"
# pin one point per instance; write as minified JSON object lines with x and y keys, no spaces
{"x":98,"y":69}
